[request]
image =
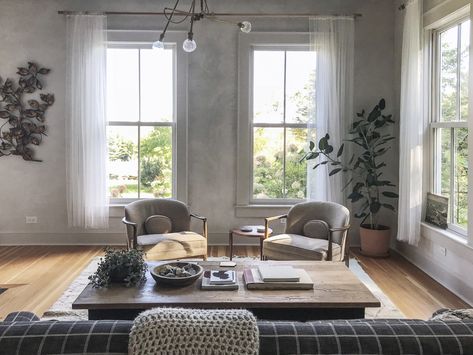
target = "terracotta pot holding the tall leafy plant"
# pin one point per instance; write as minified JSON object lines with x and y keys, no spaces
{"x":375,"y":242}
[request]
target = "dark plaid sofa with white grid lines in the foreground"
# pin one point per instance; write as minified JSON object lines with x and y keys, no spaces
{"x":23,"y":333}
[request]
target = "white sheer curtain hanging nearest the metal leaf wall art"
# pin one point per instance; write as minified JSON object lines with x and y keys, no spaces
{"x":86,"y":148}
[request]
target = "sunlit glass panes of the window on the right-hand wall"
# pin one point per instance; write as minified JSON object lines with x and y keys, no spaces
{"x":453,"y":98}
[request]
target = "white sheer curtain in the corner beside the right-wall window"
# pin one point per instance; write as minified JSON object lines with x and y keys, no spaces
{"x":411,"y":127}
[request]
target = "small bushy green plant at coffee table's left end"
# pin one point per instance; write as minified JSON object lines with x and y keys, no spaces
{"x":126,"y":266}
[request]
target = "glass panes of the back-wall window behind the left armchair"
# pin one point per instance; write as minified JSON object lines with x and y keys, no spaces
{"x":141,"y":122}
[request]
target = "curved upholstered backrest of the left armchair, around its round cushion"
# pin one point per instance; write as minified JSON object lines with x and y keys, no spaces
{"x":176,"y":211}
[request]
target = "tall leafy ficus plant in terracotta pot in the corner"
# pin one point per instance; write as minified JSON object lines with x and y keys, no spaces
{"x":370,"y":191}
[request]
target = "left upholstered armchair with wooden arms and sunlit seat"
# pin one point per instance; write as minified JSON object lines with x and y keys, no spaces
{"x":161,"y":228}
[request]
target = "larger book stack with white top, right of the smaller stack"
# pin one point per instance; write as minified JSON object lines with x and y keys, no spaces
{"x":277,"y":278}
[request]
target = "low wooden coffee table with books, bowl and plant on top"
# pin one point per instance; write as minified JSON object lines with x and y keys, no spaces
{"x":337,"y":294}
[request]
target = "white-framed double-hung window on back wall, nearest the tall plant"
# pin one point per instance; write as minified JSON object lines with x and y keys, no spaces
{"x":276,"y":89}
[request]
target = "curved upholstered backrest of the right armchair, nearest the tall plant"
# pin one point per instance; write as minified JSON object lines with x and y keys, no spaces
{"x":333,"y":213}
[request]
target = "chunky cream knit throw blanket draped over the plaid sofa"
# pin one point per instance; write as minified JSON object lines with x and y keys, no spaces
{"x":194,"y":331}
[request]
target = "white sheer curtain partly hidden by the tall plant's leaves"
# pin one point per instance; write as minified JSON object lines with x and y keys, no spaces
{"x":333,"y":40}
